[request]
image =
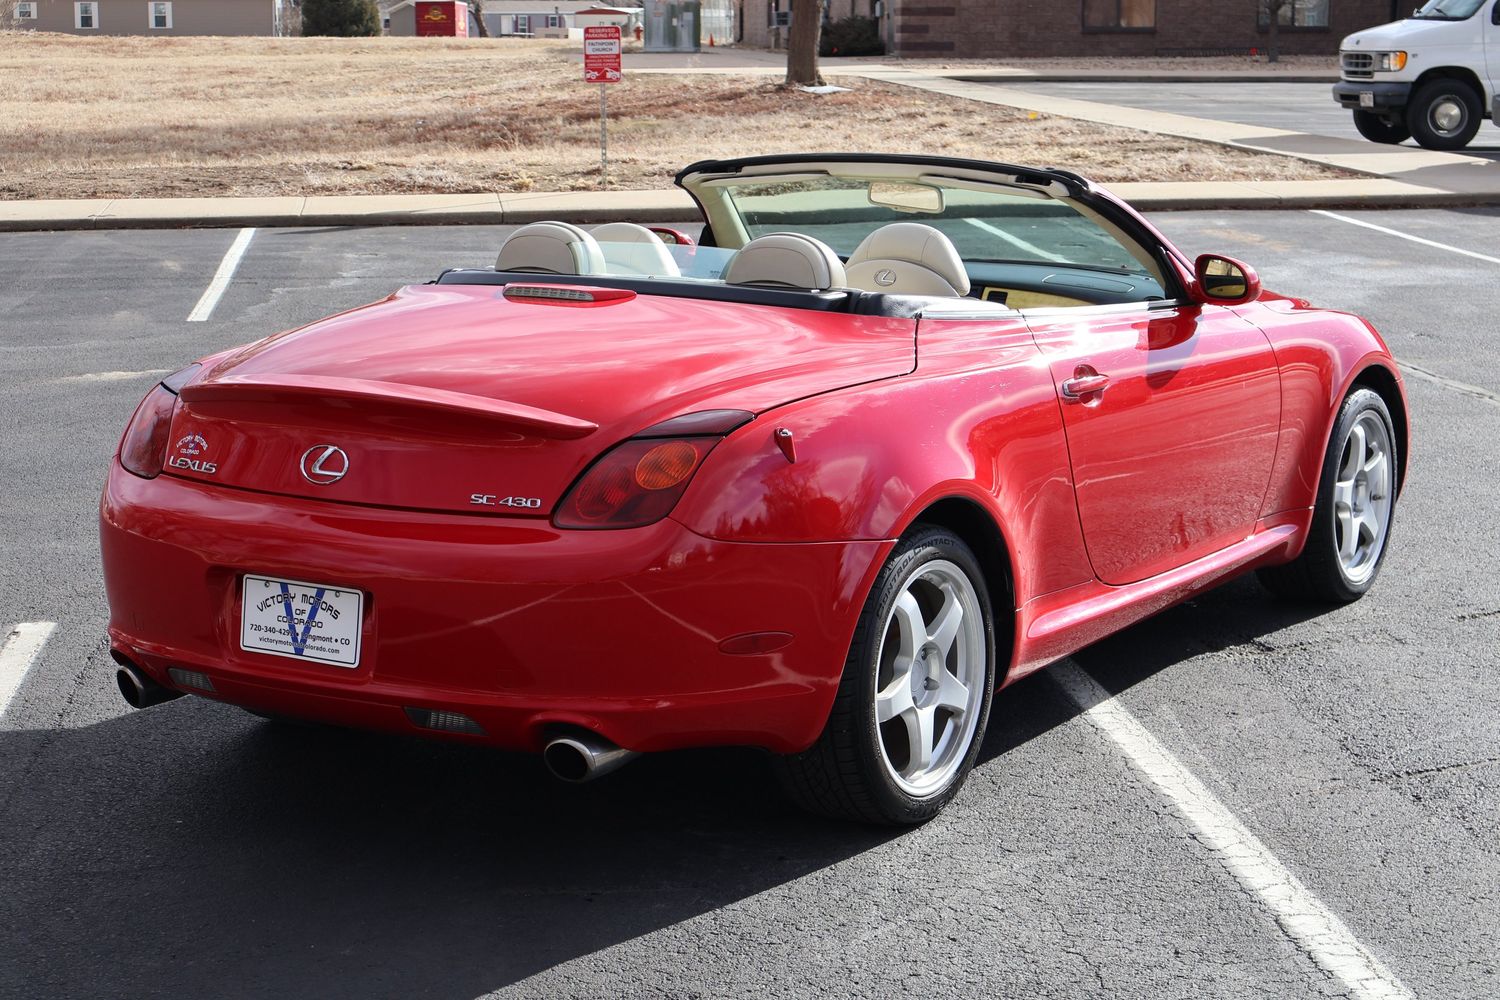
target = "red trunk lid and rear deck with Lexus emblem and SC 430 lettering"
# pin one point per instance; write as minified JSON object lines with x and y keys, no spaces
{"x":440,"y":397}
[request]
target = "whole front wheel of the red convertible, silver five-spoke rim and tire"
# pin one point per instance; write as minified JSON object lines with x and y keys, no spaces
{"x":1352,"y":519}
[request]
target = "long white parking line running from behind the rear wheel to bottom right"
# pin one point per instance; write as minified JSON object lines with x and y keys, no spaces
{"x":1313,"y":927}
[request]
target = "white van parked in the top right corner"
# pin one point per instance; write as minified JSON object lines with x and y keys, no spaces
{"x":1432,"y":76}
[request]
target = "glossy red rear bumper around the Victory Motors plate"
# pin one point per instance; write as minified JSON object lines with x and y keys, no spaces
{"x":509,"y":621}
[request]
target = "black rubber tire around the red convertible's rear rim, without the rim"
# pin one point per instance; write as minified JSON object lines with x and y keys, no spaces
{"x":847,"y":774}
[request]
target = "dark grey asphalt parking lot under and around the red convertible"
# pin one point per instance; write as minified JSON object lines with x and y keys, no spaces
{"x":197,"y":851}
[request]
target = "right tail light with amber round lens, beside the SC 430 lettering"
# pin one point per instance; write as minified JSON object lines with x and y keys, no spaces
{"x":640,"y":482}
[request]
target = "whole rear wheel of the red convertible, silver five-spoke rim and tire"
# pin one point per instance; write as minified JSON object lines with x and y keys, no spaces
{"x":916,"y":693}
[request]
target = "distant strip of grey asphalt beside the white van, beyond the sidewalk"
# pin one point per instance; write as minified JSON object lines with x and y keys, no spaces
{"x":1274,"y":106}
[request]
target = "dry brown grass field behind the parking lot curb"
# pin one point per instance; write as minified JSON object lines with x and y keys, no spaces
{"x":172,"y":118}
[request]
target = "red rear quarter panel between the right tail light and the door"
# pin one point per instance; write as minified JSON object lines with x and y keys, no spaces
{"x":979,"y":421}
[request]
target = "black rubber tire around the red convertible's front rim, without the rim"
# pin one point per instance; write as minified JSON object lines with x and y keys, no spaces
{"x":1319,"y":573}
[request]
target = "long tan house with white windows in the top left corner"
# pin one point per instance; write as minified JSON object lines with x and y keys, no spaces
{"x":148,"y":17}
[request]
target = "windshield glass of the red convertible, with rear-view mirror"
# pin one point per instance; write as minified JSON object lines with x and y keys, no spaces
{"x":986,"y":224}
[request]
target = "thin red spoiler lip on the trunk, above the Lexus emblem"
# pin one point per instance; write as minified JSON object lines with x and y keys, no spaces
{"x":389,"y":397}
